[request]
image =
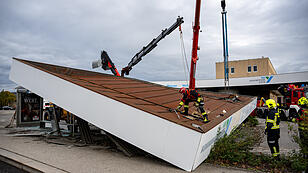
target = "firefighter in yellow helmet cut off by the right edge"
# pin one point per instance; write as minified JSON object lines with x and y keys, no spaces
{"x":302,"y":120}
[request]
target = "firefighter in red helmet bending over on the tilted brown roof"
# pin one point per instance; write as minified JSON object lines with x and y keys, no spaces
{"x":191,"y":95}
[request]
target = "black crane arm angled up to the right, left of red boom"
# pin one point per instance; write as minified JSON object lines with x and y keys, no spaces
{"x":145,"y":50}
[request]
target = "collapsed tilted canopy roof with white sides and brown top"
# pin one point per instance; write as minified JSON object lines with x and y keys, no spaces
{"x":136,"y":111}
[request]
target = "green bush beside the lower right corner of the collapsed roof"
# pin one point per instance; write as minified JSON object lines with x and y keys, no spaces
{"x":233,"y":150}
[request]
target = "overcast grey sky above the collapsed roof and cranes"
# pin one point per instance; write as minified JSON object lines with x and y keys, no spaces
{"x":73,"y":32}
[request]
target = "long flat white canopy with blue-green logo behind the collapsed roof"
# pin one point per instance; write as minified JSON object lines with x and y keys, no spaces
{"x":262,"y":86}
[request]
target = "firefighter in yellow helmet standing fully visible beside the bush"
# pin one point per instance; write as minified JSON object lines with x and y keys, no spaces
{"x":272,"y":129}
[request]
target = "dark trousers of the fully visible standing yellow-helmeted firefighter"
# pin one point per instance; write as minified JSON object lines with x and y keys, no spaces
{"x":273,"y":136}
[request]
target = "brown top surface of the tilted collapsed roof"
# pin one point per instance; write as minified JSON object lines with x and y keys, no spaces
{"x":152,"y":98}
